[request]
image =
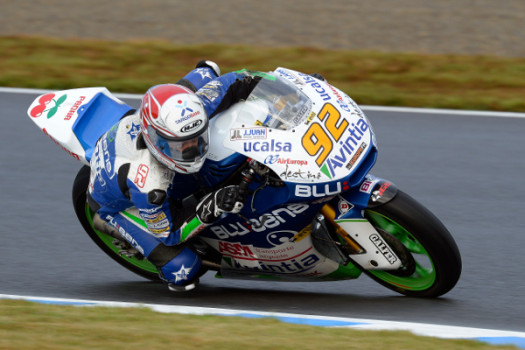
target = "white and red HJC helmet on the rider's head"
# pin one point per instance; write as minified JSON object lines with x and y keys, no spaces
{"x":175,"y":127}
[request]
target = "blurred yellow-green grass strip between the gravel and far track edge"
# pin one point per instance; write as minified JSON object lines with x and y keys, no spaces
{"x":371,"y":78}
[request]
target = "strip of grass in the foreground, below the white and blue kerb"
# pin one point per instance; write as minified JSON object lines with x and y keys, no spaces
{"x":25,"y":325}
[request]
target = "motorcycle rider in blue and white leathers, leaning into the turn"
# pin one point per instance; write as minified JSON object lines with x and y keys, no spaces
{"x":134,"y":164}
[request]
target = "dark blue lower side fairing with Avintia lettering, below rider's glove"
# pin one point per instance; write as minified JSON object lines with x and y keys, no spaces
{"x":276,"y":243}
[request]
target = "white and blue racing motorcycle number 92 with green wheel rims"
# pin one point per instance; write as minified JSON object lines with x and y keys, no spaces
{"x":301,"y":150}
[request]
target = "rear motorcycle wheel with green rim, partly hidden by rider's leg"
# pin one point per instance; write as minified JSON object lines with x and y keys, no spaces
{"x":141,"y":267}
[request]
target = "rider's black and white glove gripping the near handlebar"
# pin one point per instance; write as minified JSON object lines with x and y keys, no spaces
{"x":225,"y":200}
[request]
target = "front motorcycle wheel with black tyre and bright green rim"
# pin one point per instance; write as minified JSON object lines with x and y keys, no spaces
{"x":436,"y":255}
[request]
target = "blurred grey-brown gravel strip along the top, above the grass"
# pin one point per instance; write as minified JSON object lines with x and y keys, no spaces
{"x":479,"y":27}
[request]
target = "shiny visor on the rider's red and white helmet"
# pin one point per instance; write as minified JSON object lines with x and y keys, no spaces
{"x":181,"y":149}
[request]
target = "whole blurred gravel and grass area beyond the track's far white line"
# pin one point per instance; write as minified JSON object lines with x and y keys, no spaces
{"x":459,"y":54}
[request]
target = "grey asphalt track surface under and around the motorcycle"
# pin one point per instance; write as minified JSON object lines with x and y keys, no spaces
{"x":467,"y":169}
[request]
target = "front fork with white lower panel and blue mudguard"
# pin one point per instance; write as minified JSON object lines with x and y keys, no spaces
{"x":367,"y":246}
